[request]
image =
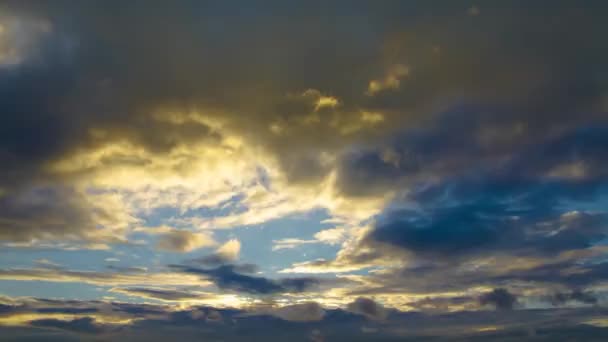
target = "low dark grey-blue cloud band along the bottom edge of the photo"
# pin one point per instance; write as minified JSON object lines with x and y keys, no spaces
{"x":158,"y":322}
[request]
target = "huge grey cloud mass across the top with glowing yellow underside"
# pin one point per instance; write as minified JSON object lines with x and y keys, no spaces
{"x":163,"y":121}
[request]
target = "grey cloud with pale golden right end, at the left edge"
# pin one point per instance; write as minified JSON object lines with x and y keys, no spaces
{"x":62,"y":214}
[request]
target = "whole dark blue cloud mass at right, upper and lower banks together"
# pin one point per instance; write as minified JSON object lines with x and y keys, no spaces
{"x":515,"y":200}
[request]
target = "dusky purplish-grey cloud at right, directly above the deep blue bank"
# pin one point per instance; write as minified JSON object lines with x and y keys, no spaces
{"x":461,"y":143}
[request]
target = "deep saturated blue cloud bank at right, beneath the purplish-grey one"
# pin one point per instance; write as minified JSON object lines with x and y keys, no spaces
{"x":488,"y":223}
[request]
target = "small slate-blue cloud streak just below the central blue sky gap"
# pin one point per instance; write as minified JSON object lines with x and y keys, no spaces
{"x":229,"y":277}
